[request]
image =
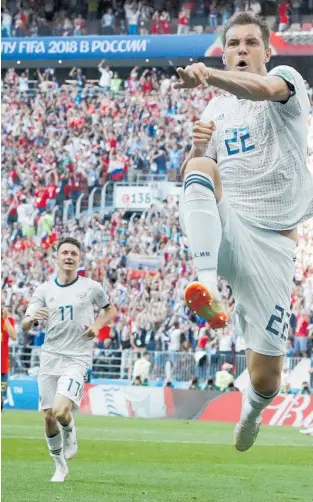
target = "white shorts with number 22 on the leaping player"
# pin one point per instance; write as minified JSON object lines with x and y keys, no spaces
{"x":259,"y":266}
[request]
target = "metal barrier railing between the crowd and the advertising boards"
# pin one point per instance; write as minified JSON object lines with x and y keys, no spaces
{"x":165,"y":366}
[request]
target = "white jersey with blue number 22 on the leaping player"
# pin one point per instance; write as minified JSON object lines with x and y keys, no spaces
{"x":261,"y":151}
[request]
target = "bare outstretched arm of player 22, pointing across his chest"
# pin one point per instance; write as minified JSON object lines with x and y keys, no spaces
{"x":244,"y":85}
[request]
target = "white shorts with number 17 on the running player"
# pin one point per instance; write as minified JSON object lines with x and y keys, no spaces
{"x":69,"y":382}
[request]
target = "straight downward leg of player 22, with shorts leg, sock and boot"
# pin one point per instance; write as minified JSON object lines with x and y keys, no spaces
{"x":262,"y":315}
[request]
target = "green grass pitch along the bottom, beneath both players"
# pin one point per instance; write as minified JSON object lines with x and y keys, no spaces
{"x":134,"y":460}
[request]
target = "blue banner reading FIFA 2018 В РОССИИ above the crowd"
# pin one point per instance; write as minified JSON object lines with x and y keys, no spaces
{"x":111,"y":47}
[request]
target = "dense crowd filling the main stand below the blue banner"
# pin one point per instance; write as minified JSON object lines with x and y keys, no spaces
{"x":59,"y":142}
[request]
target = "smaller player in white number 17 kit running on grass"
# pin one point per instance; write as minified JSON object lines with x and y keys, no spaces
{"x":67,"y":304}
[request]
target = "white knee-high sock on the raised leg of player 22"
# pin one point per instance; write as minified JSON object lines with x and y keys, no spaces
{"x":203,"y":227}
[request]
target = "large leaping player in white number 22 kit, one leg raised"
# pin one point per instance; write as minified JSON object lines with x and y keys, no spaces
{"x":246,"y":188}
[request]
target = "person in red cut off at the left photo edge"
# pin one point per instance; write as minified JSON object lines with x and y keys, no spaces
{"x":7,"y":331}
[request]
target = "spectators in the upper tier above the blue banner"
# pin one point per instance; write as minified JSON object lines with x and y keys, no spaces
{"x":54,"y":18}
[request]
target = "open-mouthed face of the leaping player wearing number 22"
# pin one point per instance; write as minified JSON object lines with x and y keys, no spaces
{"x":245,"y":51}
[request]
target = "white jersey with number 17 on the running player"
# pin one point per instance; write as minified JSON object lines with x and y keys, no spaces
{"x":71,"y":312}
